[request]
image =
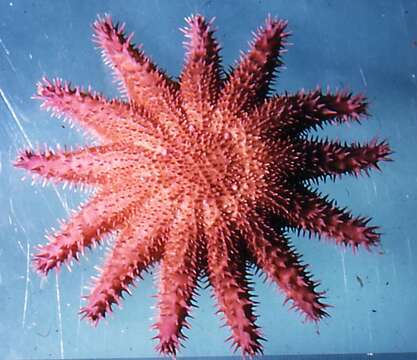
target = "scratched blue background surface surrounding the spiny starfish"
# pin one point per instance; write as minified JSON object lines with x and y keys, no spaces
{"x":367,"y":46}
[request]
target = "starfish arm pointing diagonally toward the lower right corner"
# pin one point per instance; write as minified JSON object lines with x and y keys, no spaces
{"x":272,"y":253}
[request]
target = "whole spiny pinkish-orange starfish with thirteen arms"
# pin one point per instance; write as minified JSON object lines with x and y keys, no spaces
{"x":204,"y":176}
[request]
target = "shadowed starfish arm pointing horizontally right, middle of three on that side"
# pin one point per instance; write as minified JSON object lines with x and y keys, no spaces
{"x":321,"y":159}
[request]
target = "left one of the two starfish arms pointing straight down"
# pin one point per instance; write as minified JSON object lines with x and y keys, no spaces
{"x":178,"y":281}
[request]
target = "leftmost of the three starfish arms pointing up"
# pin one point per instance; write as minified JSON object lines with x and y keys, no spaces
{"x":143,"y":82}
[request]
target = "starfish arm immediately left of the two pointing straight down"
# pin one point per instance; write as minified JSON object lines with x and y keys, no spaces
{"x":139,"y":245}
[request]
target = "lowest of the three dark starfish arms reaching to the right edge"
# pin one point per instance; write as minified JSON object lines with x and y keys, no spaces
{"x":306,"y":210}
